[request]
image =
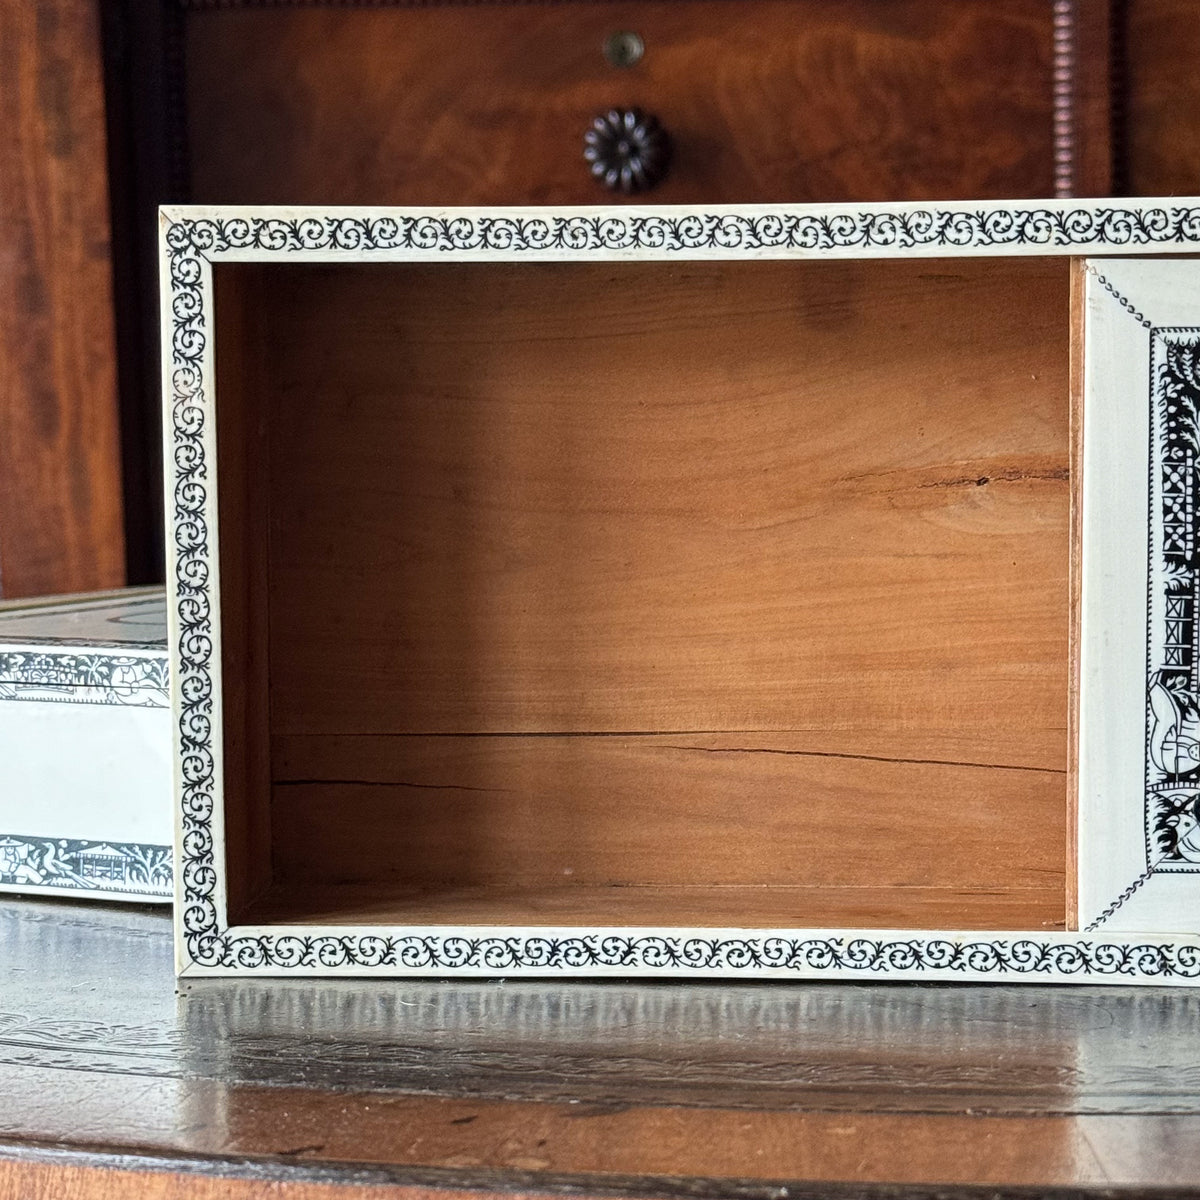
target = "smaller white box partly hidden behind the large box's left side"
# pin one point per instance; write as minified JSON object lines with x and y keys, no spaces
{"x":86,"y":747}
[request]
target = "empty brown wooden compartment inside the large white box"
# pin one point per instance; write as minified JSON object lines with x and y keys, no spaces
{"x":676,"y":595}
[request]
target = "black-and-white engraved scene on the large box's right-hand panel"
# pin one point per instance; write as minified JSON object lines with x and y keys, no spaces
{"x":1173,"y":710}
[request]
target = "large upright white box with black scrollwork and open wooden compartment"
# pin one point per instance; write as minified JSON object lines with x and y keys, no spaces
{"x":686,"y":591}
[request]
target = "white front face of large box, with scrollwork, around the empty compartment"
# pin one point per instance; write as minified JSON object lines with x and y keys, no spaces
{"x":1137,"y":687}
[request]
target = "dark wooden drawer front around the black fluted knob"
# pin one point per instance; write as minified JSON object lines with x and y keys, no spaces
{"x":765,"y":100}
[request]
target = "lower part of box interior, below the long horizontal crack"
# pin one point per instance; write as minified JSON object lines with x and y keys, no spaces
{"x":705,"y":830}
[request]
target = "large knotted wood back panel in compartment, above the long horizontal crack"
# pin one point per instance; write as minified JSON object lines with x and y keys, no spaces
{"x":643,"y":499}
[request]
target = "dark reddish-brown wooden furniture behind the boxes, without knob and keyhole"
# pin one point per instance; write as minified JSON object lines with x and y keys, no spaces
{"x":113,"y":109}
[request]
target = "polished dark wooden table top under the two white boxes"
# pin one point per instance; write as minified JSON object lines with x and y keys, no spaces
{"x":113,"y":1085}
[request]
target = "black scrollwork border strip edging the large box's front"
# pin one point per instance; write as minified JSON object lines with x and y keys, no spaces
{"x":191,"y":239}
